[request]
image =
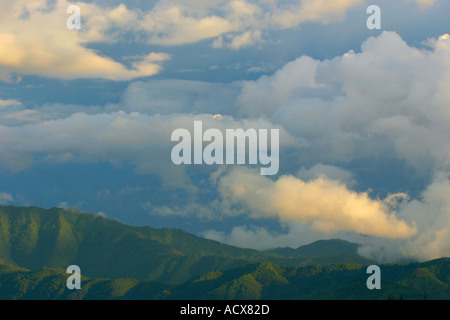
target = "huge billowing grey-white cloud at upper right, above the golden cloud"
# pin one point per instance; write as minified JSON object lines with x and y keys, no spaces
{"x":347,"y":106}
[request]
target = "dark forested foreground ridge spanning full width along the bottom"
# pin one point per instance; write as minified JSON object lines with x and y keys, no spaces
{"x":264,"y":280}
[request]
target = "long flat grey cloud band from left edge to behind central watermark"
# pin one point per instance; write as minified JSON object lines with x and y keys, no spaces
{"x":117,"y":138}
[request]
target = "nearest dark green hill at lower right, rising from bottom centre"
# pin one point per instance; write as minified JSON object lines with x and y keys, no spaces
{"x":268,"y":281}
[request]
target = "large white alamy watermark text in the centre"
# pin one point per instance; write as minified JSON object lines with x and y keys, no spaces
{"x":233,"y":142}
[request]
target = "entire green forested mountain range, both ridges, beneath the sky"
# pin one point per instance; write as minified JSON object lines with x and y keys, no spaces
{"x":124,"y":262}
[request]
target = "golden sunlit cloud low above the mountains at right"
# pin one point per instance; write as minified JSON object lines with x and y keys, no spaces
{"x":426,"y":218}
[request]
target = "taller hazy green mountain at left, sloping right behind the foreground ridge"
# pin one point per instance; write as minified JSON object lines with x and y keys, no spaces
{"x":34,"y":238}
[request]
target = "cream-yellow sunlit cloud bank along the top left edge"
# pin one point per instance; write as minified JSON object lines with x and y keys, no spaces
{"x":36,"y":40}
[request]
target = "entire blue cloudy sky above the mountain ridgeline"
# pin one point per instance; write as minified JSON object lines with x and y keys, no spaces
{"x":86,"y":117}
